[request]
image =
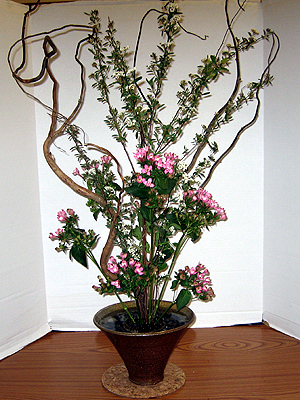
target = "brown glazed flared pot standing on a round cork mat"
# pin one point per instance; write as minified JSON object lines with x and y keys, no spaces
{"x":145,"y":355}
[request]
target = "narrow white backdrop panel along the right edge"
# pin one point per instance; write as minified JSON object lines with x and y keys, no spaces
{"x":282,"y":174}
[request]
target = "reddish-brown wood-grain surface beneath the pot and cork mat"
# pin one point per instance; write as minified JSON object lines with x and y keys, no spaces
{"x":236,"y":363}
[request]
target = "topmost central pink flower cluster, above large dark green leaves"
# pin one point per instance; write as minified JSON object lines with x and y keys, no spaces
{"x":144,"y":156}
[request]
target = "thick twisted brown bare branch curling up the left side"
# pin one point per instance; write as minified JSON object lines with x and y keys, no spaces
{"x":50,"y":51}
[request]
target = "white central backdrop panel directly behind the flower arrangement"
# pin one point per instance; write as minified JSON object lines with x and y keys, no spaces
{"x":233,"y":250}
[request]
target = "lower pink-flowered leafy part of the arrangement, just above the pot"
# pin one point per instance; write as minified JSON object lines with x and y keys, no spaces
{"x":163,"y":212}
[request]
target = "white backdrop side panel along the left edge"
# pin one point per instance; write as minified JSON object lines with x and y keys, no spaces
{"x":23,"y":312}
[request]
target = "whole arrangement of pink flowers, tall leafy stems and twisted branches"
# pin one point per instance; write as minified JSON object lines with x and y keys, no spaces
{"x":152,"y":212}
